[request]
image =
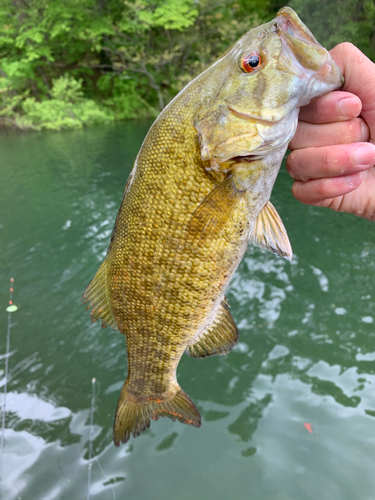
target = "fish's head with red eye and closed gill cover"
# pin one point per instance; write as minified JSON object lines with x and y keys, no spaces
{"x":252,"y":94}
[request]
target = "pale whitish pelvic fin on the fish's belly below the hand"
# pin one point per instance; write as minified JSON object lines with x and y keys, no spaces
{"x":269,"y":233}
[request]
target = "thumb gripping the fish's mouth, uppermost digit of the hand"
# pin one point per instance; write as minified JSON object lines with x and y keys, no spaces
{"x":359,"y":73}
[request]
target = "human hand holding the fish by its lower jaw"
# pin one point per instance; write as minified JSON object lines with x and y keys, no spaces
{"x":332,"y":155}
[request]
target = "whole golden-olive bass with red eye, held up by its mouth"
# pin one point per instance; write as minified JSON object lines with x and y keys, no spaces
{"x":198,"y":194}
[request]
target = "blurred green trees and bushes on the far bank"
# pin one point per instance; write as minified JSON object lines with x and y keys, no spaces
{"x":66,"y":63}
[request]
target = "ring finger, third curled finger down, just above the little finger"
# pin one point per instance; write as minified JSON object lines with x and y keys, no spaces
{"x":330,"y":161}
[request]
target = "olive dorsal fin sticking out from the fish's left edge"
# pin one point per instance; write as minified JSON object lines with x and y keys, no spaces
{"x":97,"y":293}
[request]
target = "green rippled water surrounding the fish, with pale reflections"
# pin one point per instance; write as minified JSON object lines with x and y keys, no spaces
{"x":306,"y":351}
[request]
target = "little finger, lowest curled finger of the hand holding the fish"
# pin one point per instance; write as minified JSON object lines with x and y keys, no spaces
{"x":318,"y":191}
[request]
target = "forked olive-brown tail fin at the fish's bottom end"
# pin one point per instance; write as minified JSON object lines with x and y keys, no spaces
{"x":133,"y":417}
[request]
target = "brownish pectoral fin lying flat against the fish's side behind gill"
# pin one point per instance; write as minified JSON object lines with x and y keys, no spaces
{"x":215,"y":210}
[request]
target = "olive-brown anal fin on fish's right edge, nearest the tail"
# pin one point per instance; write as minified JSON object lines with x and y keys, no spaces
{"x":219,"y":338}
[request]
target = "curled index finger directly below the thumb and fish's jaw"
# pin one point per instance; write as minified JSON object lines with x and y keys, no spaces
{"x":331,"y":107}
